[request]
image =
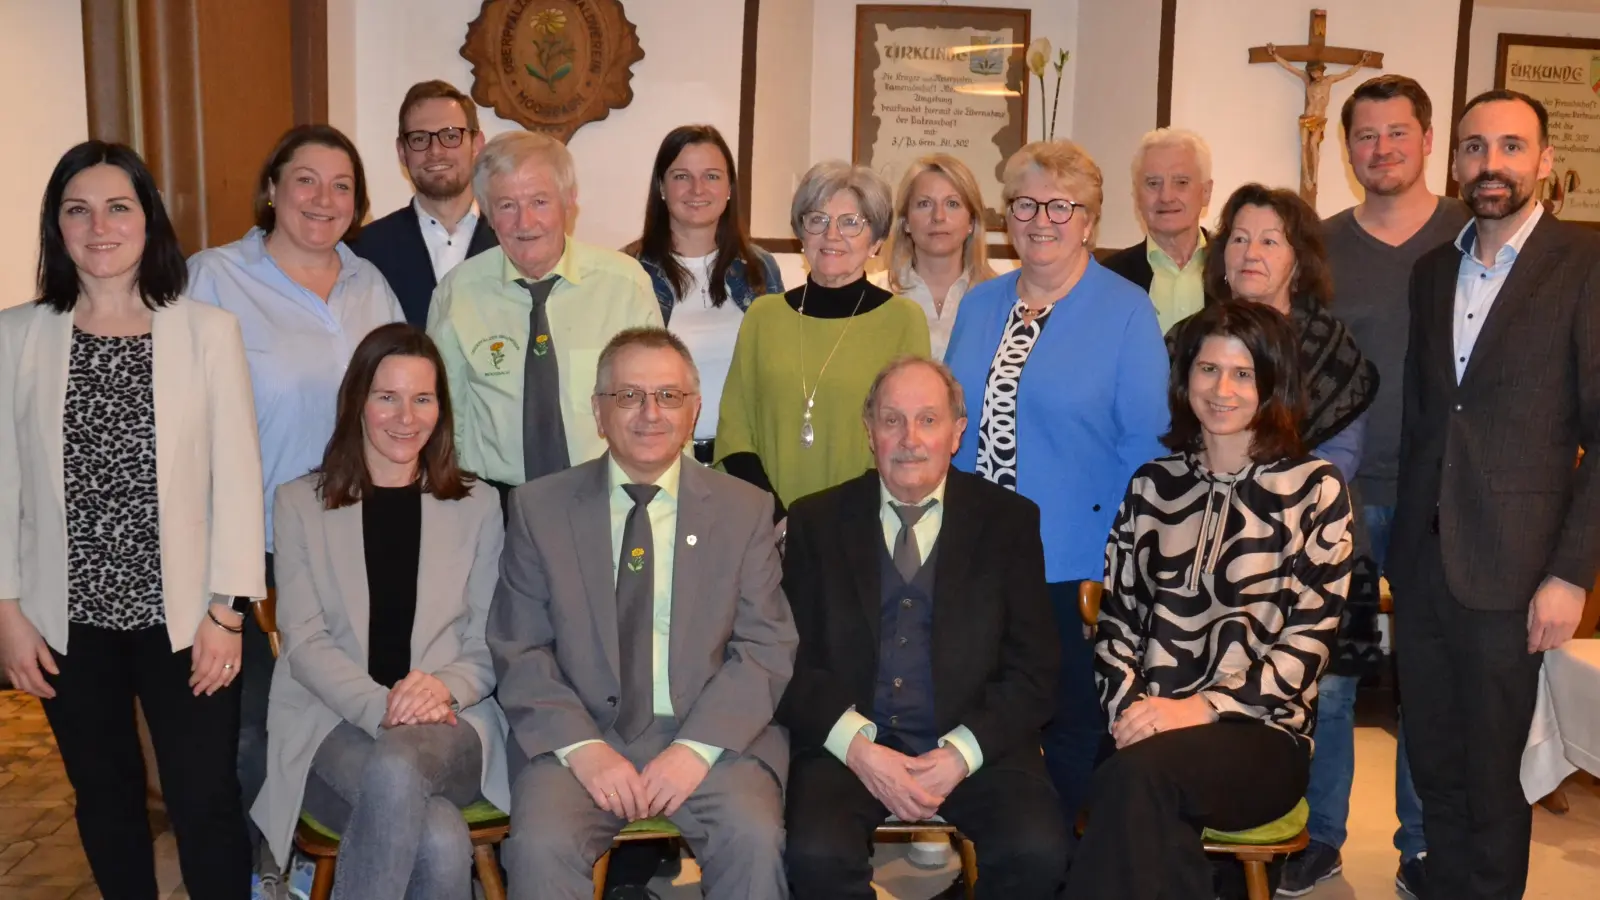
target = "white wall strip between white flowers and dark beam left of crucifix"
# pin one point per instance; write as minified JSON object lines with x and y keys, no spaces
{"x":1119,"y":55}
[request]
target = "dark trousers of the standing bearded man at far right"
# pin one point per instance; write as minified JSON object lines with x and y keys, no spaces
{"x":1470,"y":693}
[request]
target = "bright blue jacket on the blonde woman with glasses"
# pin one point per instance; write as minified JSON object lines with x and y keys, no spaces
{"x":1092,"y":406}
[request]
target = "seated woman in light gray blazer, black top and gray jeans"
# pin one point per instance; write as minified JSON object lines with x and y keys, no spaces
{"x":380,"y":723}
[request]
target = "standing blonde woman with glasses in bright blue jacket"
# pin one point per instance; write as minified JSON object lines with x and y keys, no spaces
{"x":1066,"y":368}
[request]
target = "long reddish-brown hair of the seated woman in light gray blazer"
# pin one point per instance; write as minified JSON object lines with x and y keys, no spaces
{"x":343,"y":478}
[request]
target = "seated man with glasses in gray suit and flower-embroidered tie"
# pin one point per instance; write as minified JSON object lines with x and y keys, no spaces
{"x":642,"y":643}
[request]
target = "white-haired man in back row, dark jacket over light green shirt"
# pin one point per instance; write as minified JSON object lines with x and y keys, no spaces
{"x":1172,"y":188}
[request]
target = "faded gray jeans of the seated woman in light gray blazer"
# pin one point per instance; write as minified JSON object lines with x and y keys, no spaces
{"x":396,"y":803}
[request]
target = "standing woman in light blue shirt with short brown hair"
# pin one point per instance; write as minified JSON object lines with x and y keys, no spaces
{"x":303,"y":302}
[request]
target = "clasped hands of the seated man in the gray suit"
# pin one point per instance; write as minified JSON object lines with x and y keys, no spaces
{"x":628,"y":794}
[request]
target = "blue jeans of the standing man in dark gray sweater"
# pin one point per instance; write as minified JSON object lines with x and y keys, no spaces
{"x":1334,"y":766}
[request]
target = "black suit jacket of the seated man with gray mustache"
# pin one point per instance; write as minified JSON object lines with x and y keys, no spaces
{"x":996,"y":653}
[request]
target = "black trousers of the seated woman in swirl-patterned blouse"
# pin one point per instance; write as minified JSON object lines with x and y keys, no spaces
{"x":1153,"y":800}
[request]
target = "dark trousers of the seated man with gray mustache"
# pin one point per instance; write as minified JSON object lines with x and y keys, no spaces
{"x":1012,"y":816}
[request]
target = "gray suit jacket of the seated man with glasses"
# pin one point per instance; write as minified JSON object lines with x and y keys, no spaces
{"x":554,"y":630}
